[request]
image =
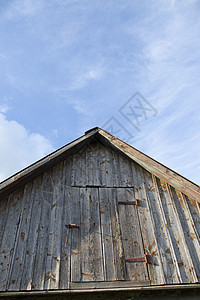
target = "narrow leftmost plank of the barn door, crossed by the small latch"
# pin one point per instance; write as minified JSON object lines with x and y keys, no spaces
{"x":75,"y":236}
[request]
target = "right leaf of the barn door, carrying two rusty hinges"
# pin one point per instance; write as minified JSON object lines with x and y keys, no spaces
{"x":125,"y":257}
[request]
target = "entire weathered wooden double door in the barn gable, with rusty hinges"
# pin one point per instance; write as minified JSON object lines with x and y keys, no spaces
{"x":106,"y":240}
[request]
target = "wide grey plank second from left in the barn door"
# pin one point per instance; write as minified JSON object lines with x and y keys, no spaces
{"x":91,"y":248}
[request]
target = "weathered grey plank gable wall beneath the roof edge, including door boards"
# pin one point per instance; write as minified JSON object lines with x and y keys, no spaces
{"x":38,"y":250}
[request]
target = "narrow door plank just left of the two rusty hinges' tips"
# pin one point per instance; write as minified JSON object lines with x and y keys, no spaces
{"x":116,"y":235}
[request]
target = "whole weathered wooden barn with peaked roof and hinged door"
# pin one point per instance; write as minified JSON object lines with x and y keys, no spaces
{"x":98,"y":219}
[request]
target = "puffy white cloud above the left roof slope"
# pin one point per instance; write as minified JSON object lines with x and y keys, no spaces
{"x":19,"y":148}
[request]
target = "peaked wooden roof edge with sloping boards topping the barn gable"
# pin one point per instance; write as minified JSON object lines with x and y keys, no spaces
{"x":169,"y":176}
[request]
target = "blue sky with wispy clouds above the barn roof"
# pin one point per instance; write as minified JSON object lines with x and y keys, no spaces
{"x":67,"y":66}
